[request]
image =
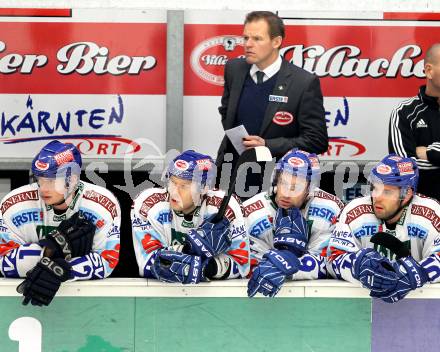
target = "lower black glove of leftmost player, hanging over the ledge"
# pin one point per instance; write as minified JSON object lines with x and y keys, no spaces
{"x":43,"y":281}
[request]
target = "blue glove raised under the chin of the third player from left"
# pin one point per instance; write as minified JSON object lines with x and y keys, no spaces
{"x":291,"y":231}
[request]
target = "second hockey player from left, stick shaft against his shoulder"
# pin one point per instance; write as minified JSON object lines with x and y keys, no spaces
{"x":174,"y":238}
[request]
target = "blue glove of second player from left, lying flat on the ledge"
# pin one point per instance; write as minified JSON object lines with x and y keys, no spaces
{"x":172,"y":266}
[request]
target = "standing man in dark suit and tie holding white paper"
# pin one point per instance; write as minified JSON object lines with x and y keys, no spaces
{"x":279,"y":104}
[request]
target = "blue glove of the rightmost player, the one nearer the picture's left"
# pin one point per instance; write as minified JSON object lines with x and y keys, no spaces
{"x":374,"y":271}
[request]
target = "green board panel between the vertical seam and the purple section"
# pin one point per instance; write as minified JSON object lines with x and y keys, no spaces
{"x":240,"y":324}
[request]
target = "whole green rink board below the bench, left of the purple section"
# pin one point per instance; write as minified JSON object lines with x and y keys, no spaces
{"x":195,"y":324}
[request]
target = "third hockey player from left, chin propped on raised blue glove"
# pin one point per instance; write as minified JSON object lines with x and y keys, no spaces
{"x":290,"y":226}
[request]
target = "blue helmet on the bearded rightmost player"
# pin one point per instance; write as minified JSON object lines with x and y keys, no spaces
{"x":397,"y":171}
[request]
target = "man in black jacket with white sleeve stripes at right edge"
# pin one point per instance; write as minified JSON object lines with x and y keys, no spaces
{"x":414,"y":129}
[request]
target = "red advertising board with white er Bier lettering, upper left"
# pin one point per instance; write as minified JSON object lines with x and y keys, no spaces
{"x":82,"y":58}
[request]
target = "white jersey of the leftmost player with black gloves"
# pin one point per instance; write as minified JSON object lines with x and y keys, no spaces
{"x":25,"y":220}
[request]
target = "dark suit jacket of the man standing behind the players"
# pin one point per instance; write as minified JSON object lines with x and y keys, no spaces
{"x":308,"y":130}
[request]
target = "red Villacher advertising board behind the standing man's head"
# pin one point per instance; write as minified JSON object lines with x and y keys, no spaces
{"x":351,"y":60}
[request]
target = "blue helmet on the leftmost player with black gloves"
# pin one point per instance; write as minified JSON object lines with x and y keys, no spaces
{"x":57,"y":159}
